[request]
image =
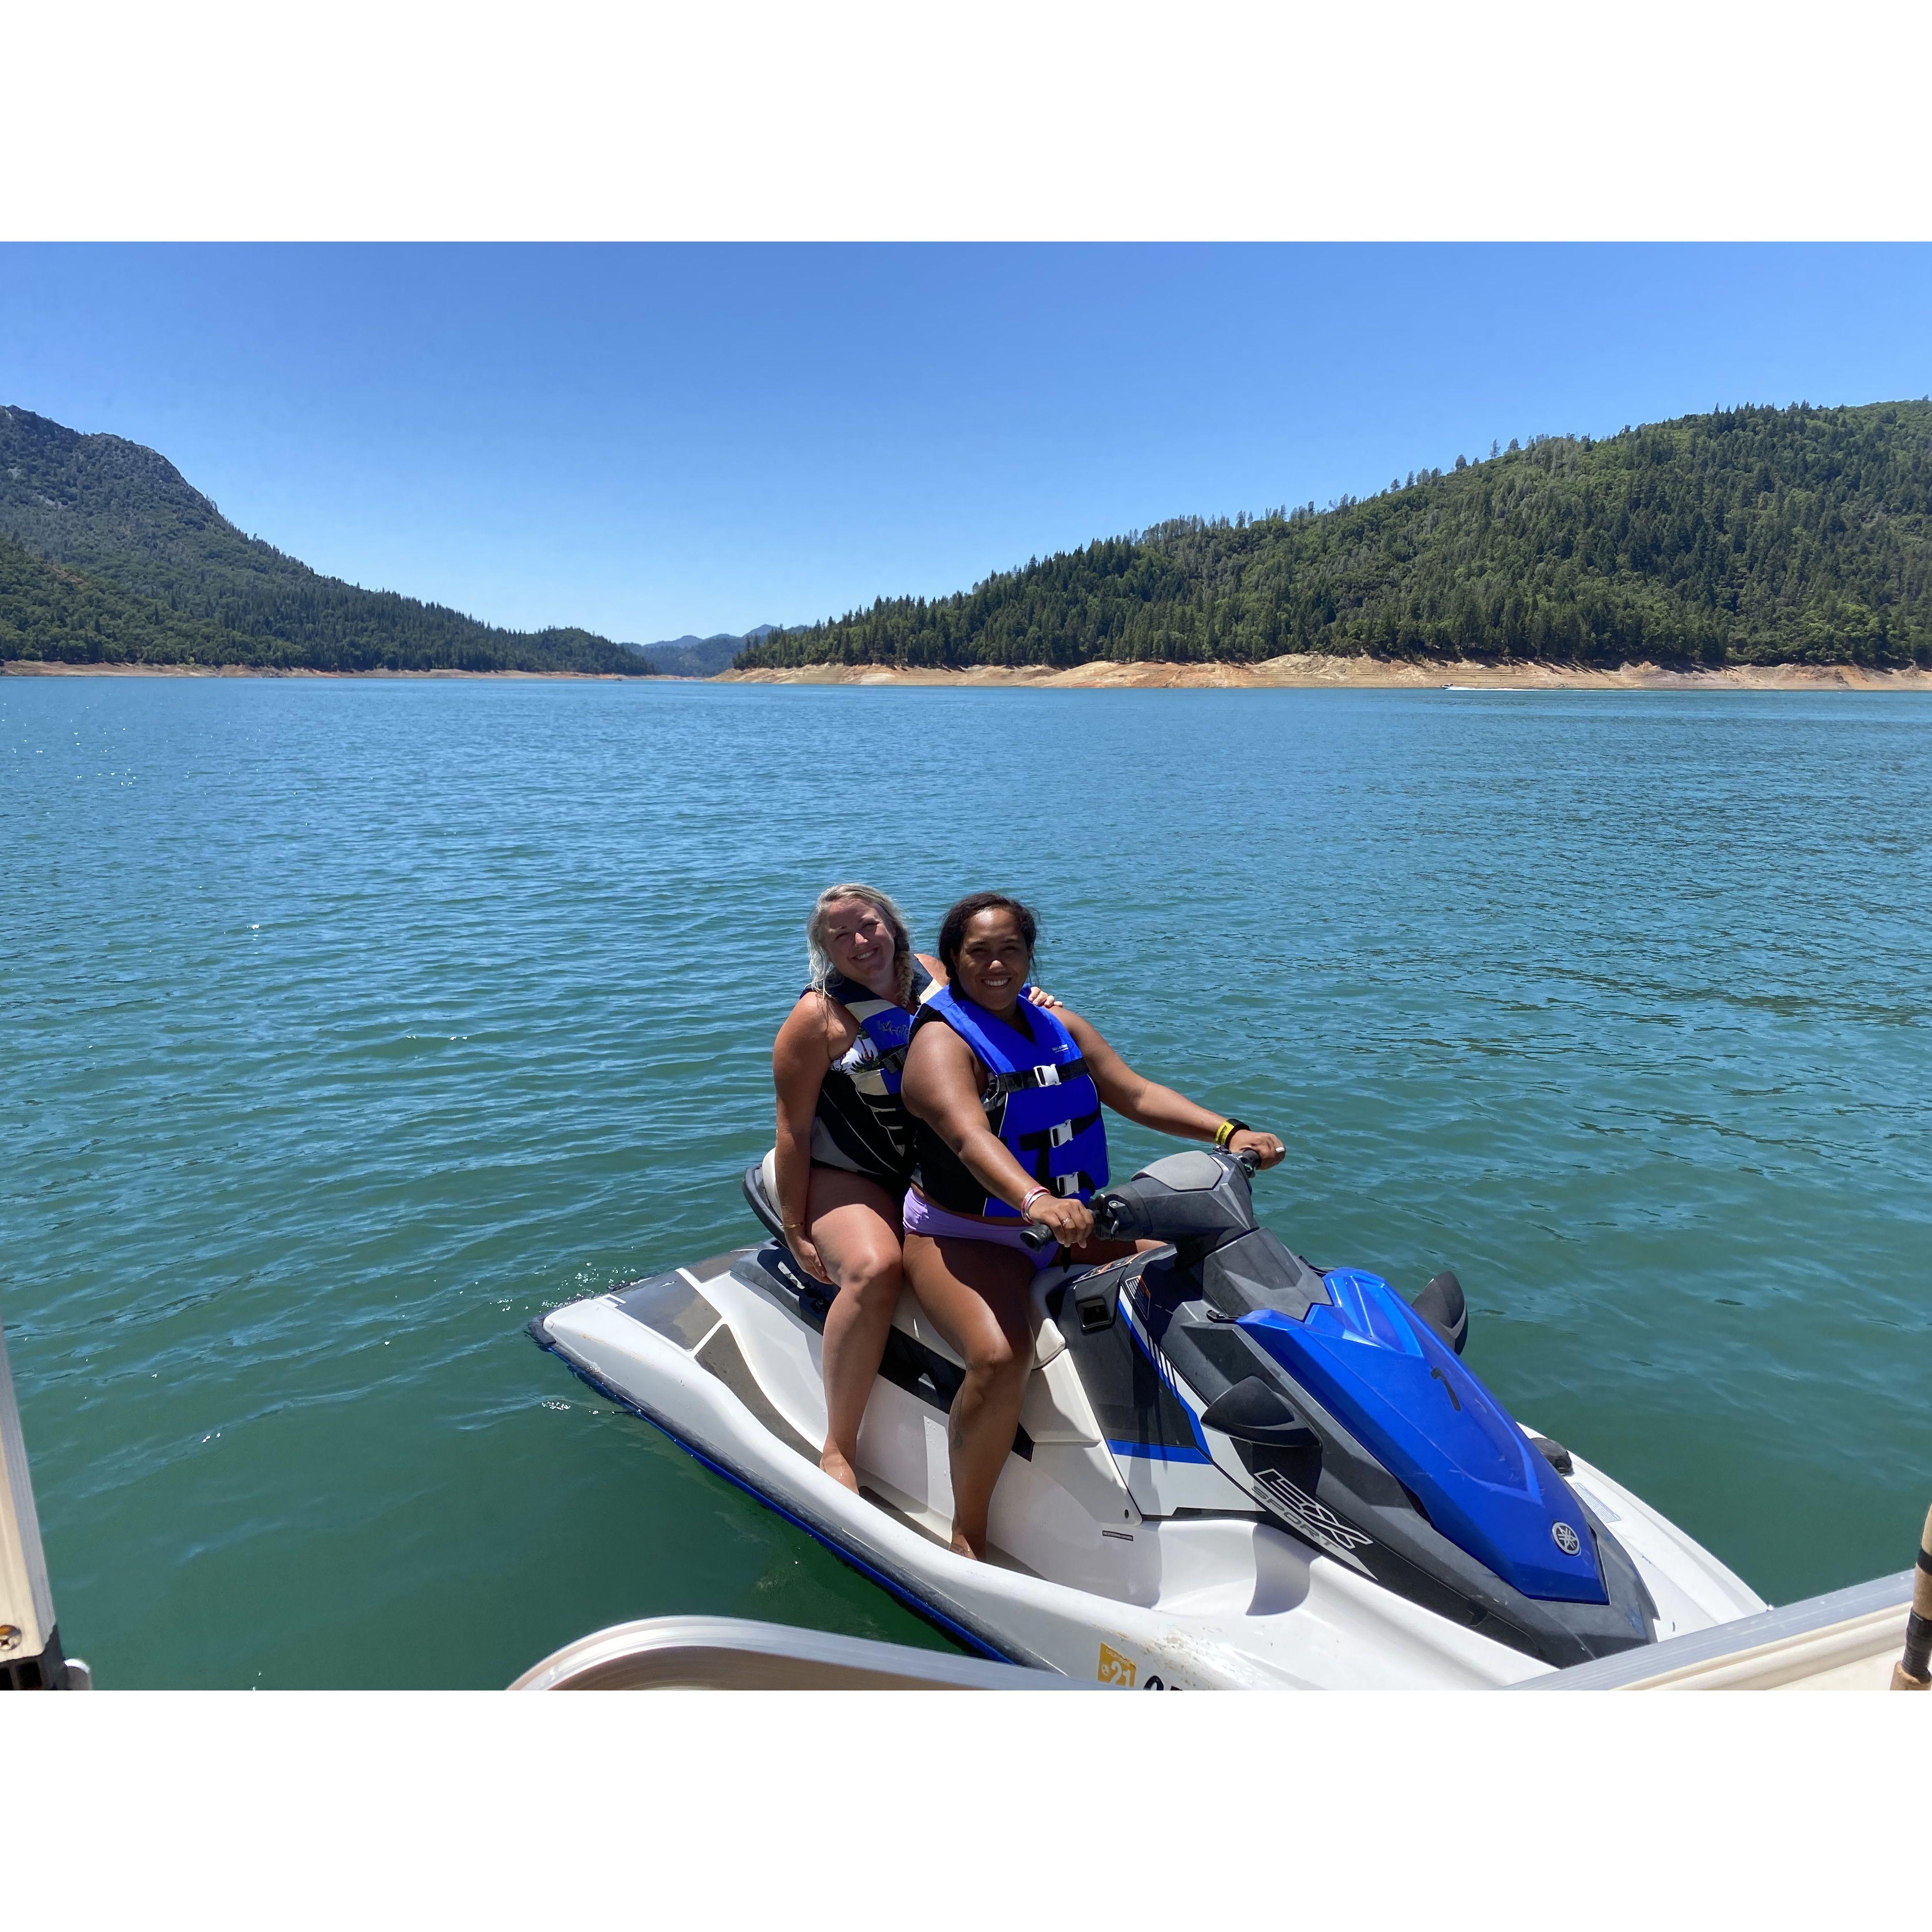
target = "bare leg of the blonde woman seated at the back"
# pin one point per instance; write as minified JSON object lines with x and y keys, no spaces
{"x":855,"y":1226}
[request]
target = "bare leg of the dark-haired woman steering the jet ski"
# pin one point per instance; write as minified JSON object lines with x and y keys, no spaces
{"x":979,"y":1295}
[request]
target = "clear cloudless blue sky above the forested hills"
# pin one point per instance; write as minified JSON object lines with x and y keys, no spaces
{"x":654,"y":441}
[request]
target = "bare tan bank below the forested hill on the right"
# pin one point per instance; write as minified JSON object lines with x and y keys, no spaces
{"x":1361,"y":673}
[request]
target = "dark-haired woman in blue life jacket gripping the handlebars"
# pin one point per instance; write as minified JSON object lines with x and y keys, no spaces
{"x":1008,"y":1131}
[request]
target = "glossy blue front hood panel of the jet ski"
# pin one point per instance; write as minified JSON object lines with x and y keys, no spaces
{"x":1386,"y":1377}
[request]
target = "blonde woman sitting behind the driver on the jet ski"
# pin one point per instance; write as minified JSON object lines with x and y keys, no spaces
{"x":845,"y":1145}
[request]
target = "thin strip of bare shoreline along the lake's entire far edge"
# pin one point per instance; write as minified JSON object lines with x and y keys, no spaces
{"x":1278,"y":673}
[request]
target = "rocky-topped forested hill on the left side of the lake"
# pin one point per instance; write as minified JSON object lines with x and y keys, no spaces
{"x":152,"y":571}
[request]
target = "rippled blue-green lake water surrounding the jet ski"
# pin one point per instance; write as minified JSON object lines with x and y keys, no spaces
{"x":351,"y":1025}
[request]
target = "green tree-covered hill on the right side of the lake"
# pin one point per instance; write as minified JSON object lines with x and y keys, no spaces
{"x":1746,"y":536}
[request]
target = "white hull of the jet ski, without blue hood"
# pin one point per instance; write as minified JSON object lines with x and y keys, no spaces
{"x":1185,"y":1589}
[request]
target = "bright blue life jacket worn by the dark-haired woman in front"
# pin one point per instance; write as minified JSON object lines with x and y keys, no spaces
{"x":1040,"y":1100}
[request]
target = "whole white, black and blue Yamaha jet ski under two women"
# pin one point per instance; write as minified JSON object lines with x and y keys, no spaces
{"x":1234,"y":1467}
